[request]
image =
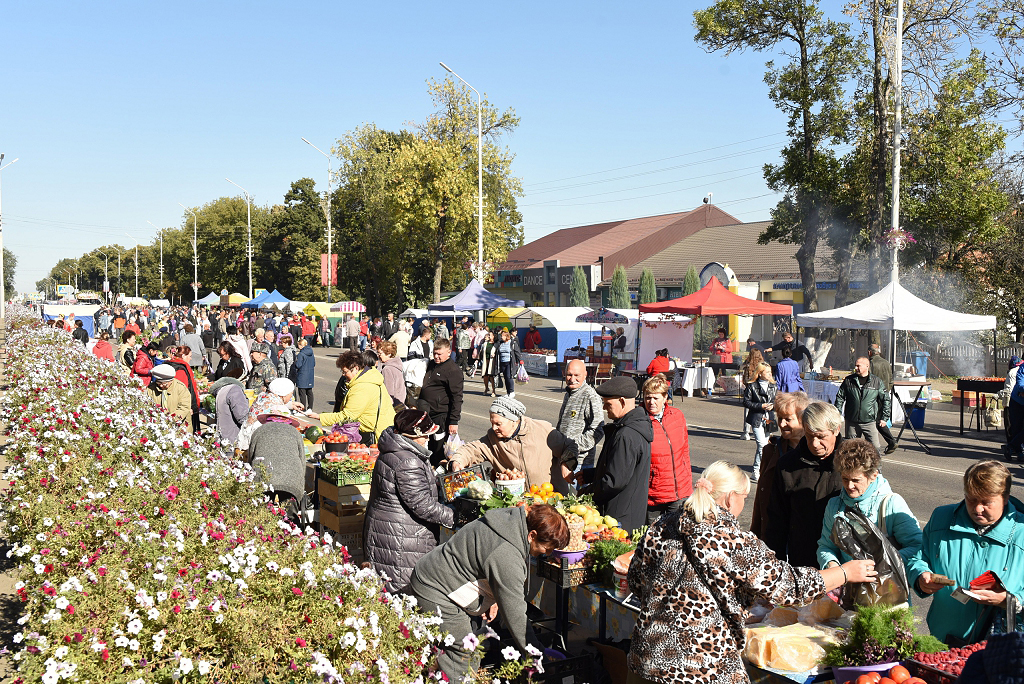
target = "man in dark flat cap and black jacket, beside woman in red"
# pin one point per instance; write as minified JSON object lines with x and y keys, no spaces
{"x":623,"y":473}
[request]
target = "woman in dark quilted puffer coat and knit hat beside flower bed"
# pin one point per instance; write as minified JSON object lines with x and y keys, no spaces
{"x":404,"y":517}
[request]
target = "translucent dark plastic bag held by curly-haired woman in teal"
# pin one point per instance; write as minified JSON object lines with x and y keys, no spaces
{"x":862,"y":540}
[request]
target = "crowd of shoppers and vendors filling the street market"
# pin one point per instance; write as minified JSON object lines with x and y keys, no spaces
{"x":696,"y":570}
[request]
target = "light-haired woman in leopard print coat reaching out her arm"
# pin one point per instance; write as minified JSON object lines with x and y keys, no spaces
{"x":696,"y":573}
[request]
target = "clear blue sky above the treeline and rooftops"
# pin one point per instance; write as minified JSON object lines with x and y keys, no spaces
{"x":120,"y":111}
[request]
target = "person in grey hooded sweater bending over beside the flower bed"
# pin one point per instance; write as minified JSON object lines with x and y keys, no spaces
{"x":484,"y":568}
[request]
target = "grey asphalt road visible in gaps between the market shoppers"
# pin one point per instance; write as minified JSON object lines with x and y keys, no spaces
{"x":926,"y":482}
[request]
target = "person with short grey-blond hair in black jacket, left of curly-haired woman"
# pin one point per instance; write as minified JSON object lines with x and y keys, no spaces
{"x":805,"y":481}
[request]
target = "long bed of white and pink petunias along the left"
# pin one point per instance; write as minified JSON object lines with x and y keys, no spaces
{"x":147,"y":555}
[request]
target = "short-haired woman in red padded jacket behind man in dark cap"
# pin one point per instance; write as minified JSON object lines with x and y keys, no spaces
{"x":671,"y":481}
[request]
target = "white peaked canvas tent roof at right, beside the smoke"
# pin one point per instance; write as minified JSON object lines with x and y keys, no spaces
{"x":894,"y":308}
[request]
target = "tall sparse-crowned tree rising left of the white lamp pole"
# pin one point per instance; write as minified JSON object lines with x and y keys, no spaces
{"x":810,"y":90}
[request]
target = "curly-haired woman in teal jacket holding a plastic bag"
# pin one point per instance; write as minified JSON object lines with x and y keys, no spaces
{"x":868,"y":491}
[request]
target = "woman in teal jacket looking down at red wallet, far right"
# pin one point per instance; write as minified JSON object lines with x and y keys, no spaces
{"x":984,"y":533}
